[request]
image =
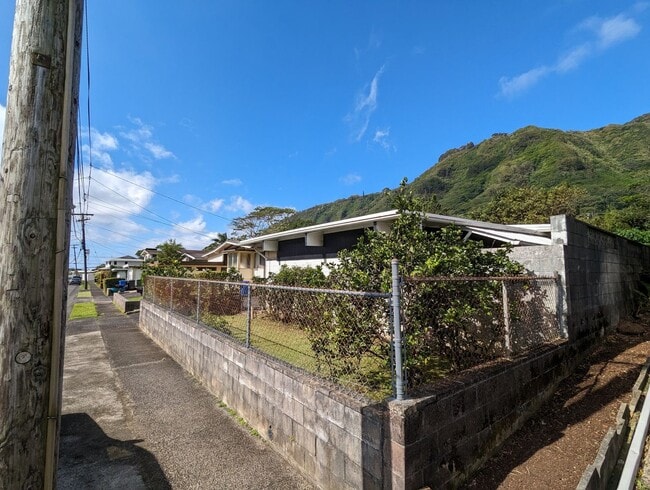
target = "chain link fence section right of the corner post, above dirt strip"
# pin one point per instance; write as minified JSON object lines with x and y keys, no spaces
{"x":455,"y":323}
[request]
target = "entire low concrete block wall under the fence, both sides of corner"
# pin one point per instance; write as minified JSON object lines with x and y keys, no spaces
{"x":342,"y":442}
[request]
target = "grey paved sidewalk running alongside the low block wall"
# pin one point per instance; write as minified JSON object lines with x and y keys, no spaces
{"x":133,"y":418}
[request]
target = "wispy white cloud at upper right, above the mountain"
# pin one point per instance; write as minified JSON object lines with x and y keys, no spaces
{"x":602,"y":35}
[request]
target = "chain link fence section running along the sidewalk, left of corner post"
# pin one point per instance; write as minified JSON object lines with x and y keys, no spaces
{"x":341,"y":336}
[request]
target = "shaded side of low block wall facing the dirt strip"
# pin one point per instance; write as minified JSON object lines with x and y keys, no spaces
{"x":438,"y":440}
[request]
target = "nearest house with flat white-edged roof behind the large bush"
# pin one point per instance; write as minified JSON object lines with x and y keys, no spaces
{"x":320,"y":244}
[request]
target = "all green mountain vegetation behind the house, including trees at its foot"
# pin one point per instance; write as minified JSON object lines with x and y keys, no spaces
{"x":601,"y":176}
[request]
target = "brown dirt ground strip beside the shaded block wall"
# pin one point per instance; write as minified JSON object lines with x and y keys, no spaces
{"x":553,"y":449}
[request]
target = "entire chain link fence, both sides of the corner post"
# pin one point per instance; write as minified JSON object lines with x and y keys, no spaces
{"x":444,"y":325}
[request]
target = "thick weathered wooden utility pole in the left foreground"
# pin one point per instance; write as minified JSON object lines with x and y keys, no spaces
{"x":36,"y":176}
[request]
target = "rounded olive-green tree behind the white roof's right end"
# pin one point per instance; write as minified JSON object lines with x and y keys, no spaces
{"x":531,"y":204}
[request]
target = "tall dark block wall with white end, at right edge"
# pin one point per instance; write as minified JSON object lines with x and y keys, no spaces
{"x":602,"y":274}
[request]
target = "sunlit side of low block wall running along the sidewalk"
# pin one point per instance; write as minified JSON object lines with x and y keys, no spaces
{"x":336,"y":439}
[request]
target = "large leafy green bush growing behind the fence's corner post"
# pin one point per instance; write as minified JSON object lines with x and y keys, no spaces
{"x":447,"y":325}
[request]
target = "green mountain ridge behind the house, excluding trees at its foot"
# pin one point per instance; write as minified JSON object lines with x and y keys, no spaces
{"x":610,"y":164}
